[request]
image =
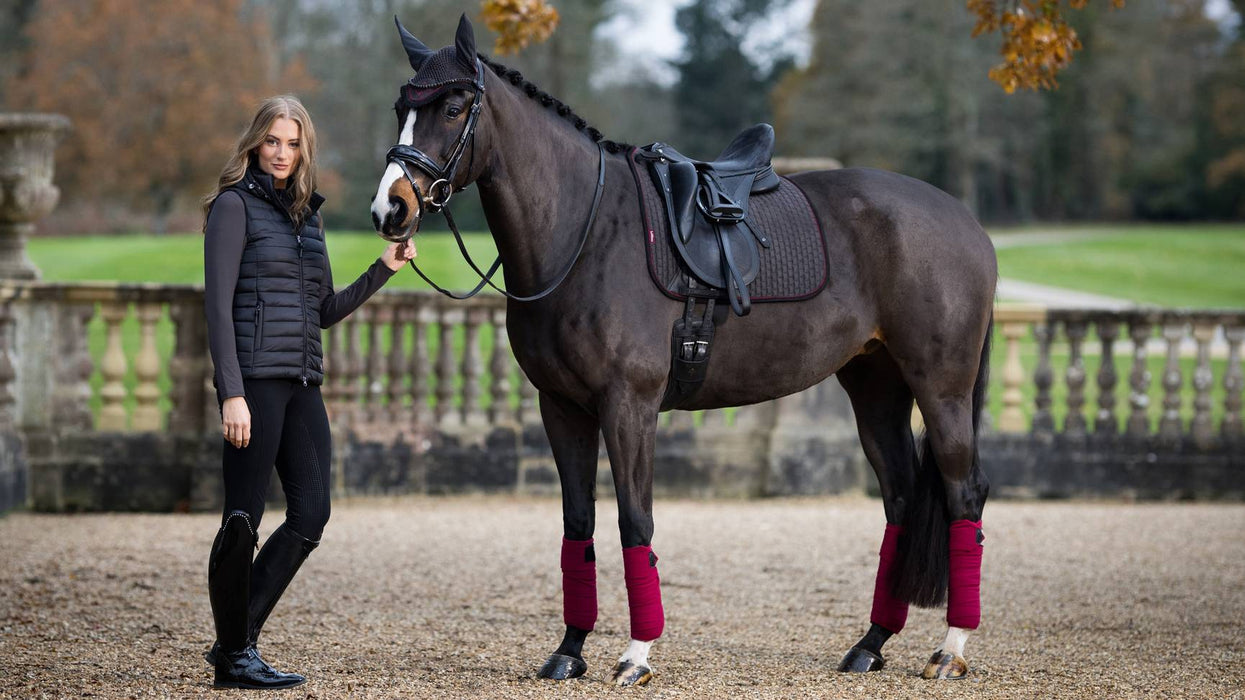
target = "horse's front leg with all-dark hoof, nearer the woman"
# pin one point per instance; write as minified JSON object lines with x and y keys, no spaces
{"x":575,"y":437}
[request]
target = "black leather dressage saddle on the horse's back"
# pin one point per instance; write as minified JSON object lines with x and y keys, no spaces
{"x":708,"y":206}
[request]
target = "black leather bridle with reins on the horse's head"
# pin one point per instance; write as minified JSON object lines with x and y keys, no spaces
{"x":443,"y":189}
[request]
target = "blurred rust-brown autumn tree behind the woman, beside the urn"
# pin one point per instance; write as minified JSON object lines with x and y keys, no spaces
{"x":157,"y":93}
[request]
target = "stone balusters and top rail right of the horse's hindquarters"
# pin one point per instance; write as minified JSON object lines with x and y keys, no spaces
{"x":1195,"y":356}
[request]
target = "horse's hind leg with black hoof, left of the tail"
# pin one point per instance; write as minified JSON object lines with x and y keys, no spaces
{"x":883,"y":407}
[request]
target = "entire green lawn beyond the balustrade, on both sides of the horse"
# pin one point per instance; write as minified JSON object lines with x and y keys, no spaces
{"x":1186,"y":266}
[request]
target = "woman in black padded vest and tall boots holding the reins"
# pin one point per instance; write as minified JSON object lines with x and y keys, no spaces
{"x":268,"y":295}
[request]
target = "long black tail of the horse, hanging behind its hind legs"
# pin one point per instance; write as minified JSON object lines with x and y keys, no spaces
{"x":923,"y":547}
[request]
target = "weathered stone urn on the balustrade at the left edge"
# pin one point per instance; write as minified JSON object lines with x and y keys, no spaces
{"x":28,"y":144}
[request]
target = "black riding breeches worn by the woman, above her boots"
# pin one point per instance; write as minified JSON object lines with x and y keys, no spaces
{"x":288,"y":429}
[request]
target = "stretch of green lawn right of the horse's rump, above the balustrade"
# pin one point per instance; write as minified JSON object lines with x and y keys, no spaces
{"x":1173,"y":266}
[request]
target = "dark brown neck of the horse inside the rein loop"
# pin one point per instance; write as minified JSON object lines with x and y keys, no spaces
{"x":537,"y":190}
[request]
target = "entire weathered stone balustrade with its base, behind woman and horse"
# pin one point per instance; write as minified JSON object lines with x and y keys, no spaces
{"x":110,"y":385}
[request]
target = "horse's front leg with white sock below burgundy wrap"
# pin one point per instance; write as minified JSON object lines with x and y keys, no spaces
{"x":631,"y":429}
